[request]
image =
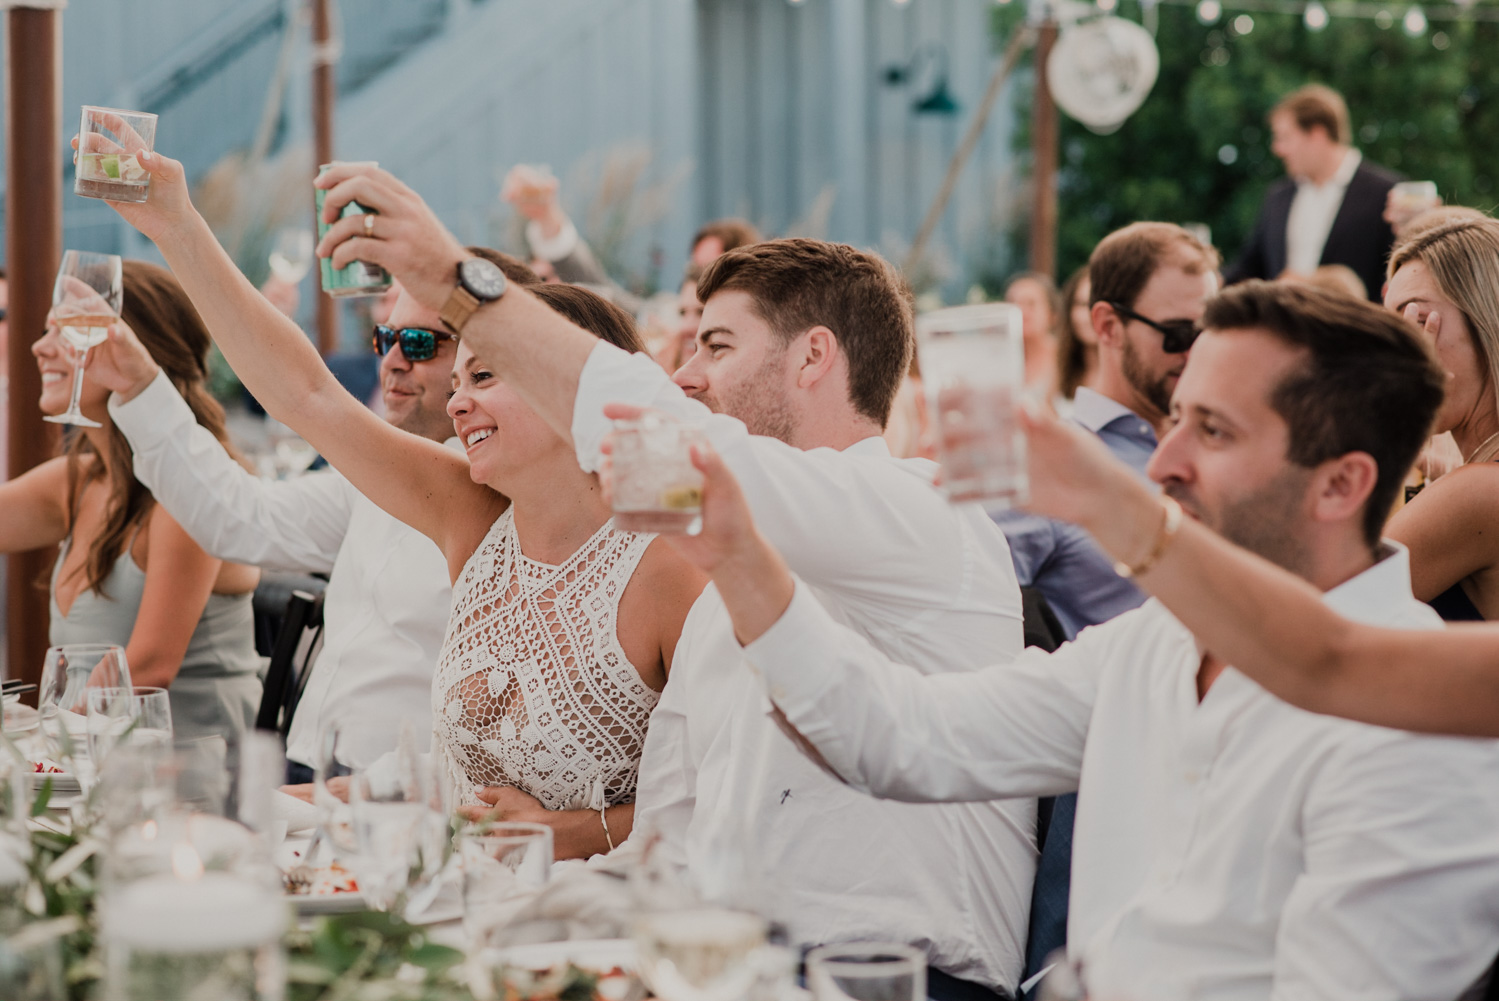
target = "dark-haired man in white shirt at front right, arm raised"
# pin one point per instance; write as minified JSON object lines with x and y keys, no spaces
{"x":1228,"y":846}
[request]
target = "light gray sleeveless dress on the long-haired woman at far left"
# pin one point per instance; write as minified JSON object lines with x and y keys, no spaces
{"x":218,"y":689}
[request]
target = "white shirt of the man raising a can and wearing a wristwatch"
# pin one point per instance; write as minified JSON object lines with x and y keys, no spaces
{"x":927,"y":582}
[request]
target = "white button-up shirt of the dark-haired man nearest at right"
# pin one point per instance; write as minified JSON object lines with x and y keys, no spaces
{"x":1231,"y":849}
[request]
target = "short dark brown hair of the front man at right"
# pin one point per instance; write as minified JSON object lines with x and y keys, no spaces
{"x":1371,"y":383}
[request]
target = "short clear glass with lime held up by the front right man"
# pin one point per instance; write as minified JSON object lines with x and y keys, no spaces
{"x":657,"y":488}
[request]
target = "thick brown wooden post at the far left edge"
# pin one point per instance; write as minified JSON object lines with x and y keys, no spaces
{"x":34,"y":251}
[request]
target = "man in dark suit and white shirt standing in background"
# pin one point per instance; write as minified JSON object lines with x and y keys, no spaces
{"x":1330,"y":209}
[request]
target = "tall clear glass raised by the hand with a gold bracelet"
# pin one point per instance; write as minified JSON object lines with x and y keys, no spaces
{"x":974,"y":372}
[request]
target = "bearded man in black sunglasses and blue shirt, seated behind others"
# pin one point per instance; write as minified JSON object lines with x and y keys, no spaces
{"x":1150,"y":284}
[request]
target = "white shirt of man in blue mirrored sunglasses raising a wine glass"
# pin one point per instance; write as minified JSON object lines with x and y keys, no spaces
{"x":386,"y":609}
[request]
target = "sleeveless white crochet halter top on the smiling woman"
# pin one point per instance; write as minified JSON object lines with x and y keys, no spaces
{"x":533,"y":689}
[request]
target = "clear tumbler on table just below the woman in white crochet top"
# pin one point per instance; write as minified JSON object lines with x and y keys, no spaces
{"x":498,"y":861}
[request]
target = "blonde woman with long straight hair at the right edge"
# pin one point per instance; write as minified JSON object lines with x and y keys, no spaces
{"x":1446,"y":279}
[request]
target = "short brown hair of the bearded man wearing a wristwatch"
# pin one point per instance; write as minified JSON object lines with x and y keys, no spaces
{"x":801,"y":284}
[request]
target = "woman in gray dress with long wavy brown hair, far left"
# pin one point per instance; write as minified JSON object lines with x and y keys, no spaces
{"x":127,"y":573}
